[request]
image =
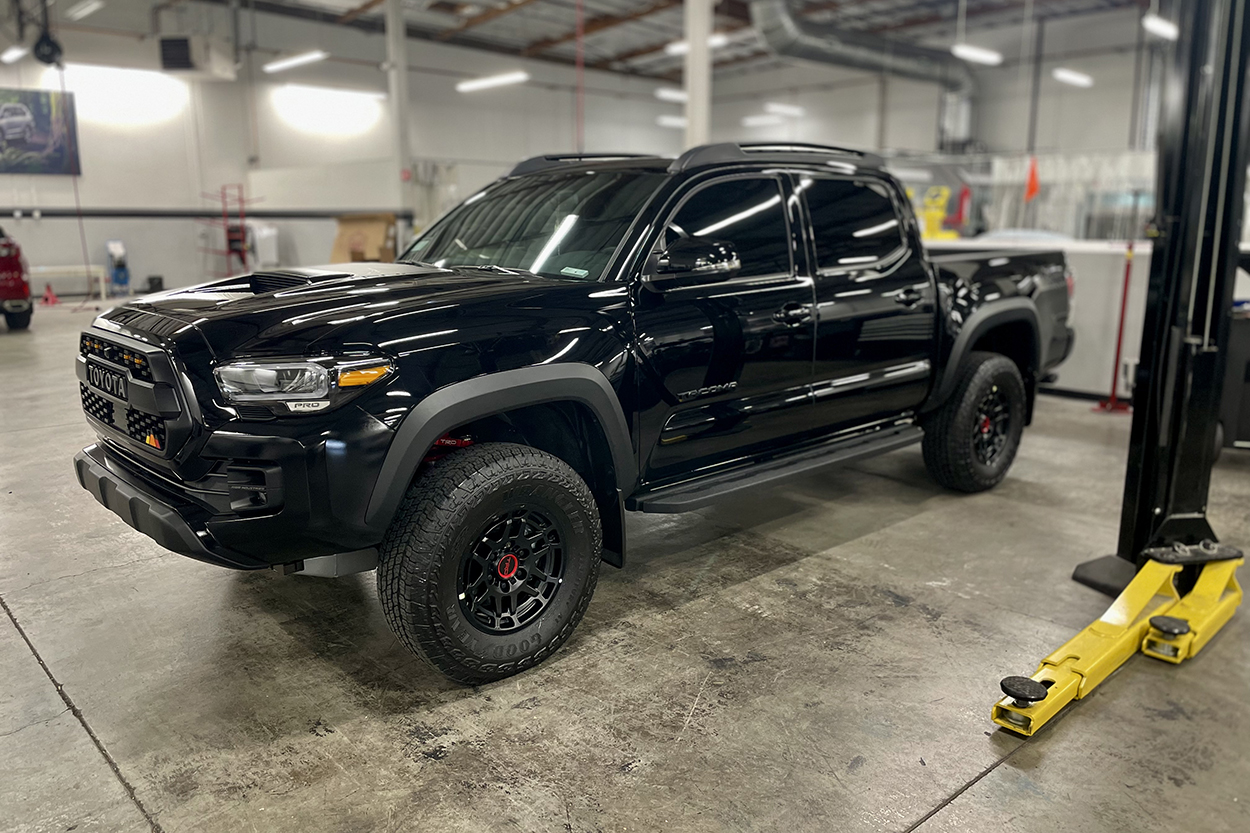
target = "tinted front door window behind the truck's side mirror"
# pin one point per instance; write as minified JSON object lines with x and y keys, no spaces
{"x":747,"y":213}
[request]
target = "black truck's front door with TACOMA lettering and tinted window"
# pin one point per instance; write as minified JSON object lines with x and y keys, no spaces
{"x":727,"y":366}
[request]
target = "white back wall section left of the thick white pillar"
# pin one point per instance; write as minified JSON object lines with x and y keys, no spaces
{"x":232,"y":133}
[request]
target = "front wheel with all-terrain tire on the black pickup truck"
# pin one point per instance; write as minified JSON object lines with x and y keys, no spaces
{"x":438,"y":538}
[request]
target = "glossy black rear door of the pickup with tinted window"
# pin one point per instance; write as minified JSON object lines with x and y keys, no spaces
{"x":876,"y":302}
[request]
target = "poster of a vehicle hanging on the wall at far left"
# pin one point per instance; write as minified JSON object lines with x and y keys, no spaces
{"x":38,"y":133}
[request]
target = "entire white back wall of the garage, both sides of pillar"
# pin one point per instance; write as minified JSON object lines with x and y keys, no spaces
{"x":232,"y":133}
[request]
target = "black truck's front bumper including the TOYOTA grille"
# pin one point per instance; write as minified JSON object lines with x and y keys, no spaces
{"x":246,"y":493}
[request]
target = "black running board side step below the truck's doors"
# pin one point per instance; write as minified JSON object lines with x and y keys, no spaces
{"x":688,"y":497}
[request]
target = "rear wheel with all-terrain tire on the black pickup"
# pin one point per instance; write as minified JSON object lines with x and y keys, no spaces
{"x":958,"y":435}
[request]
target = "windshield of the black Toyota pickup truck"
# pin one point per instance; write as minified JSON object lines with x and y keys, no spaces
{"x":559,"y":226}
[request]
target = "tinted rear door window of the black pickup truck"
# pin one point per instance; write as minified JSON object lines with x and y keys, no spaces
{"x":854,"y":223}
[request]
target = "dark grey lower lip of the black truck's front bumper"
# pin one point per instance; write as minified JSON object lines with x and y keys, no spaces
{"x":128,"y":498}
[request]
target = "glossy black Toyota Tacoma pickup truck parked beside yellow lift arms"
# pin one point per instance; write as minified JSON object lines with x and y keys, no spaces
{"x":582,"y":338}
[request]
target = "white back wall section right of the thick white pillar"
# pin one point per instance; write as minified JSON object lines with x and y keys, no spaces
{"x":843,"y":106}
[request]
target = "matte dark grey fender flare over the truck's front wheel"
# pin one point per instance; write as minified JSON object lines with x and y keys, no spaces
{"x":493,"y":395}
